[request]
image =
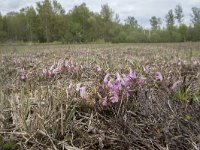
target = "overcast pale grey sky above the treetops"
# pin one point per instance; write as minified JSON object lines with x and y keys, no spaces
{"x":142,"y":10}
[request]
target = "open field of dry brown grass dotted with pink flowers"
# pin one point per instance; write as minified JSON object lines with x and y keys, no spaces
{"x":106,"y":96}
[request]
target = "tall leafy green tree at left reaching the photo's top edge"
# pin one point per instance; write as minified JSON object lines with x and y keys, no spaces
{"x":51,"y":20}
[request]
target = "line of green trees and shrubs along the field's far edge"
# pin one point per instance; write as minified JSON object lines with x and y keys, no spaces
{"x":49,"y":22}
